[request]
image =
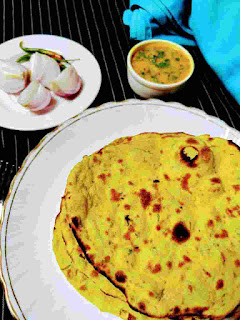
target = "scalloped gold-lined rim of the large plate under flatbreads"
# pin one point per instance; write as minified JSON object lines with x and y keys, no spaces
{"x":49,"y":136}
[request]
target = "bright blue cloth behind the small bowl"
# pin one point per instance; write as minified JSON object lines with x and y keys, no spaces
{"x":213,"y":25}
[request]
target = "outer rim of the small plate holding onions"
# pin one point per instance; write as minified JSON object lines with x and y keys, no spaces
{"x":52,"y":124}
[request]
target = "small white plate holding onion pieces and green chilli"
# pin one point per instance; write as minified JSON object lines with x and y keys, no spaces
{"x":14,"y":116}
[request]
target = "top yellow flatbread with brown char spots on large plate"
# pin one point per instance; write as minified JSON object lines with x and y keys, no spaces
{"x":158,"y":215}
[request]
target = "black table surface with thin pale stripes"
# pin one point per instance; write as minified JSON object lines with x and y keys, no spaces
{"x":98,"y":26}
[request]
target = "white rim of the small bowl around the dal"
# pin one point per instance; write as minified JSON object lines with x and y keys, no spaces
{"x":150,"y":84}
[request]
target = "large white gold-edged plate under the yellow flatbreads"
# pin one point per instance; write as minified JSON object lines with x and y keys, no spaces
{"x":35,"y":287}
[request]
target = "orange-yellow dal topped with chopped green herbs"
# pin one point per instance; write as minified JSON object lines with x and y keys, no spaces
{"x":161,"y":63}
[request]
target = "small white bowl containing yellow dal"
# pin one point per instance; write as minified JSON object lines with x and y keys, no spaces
{"x":148,"y":89}
